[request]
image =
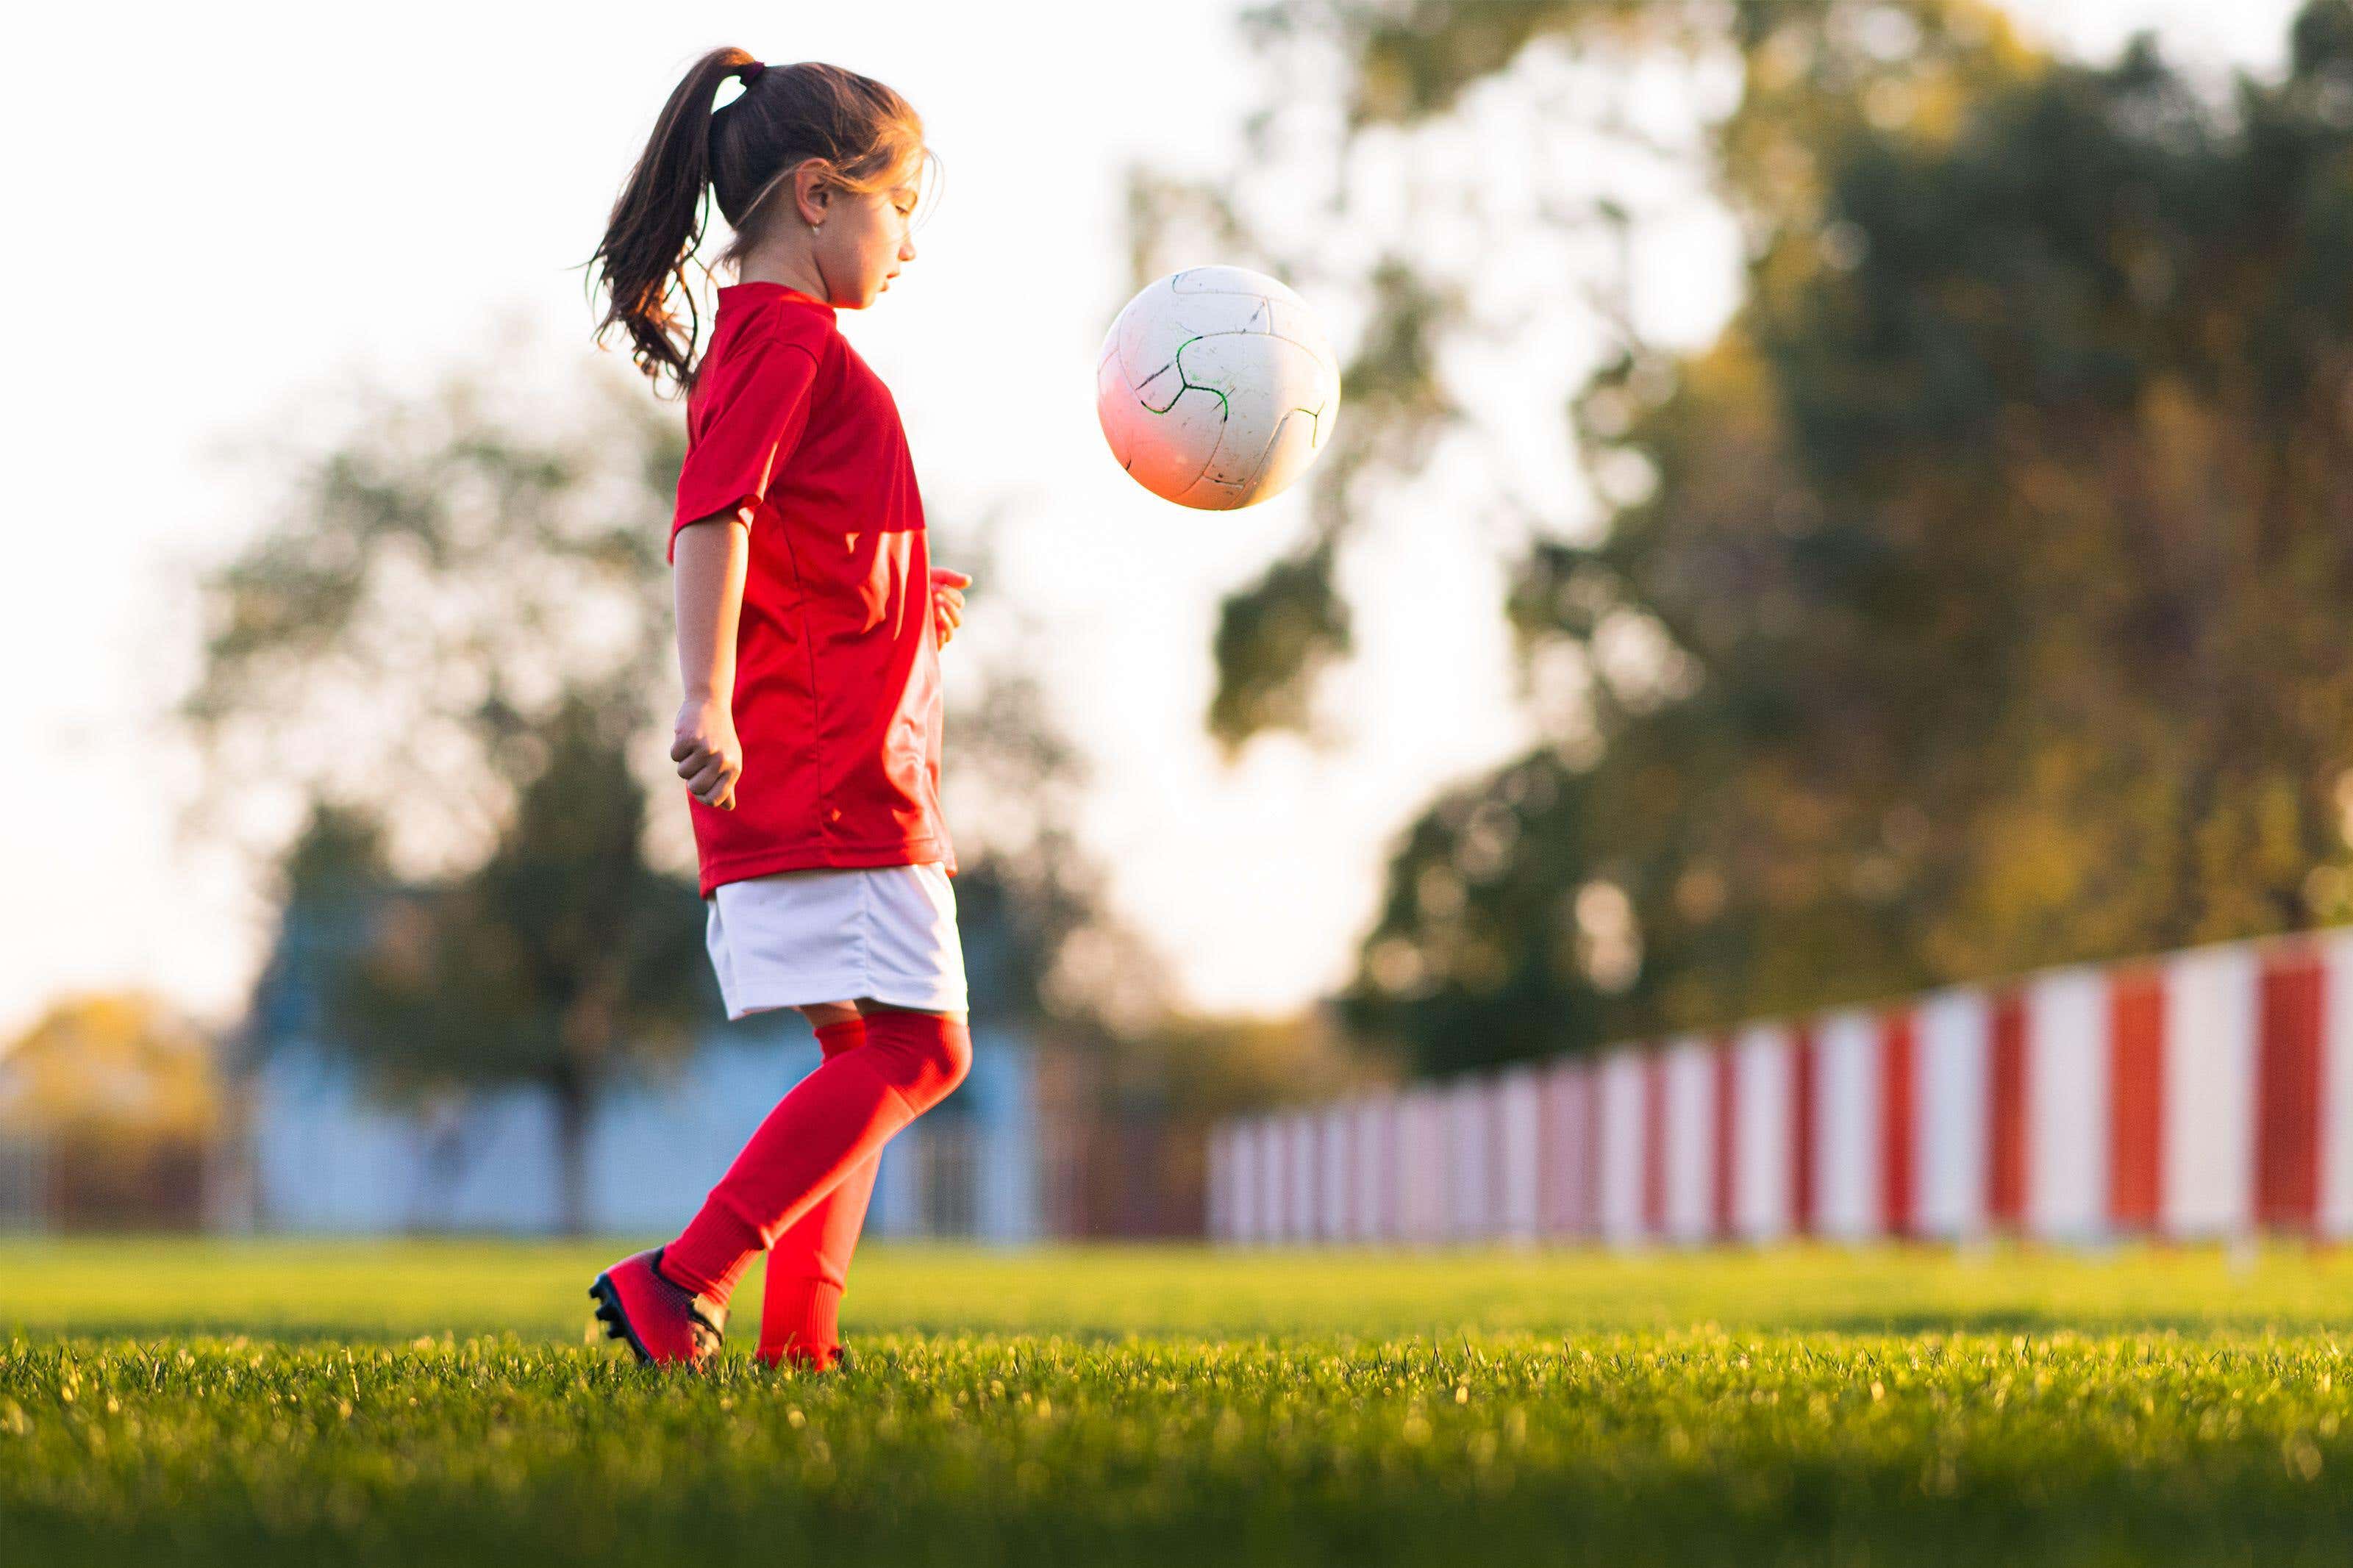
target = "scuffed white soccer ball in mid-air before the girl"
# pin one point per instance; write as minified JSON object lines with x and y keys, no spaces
{"x":1218,"y":389}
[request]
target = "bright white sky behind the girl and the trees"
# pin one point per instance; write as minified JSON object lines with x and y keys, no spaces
{"x":229,"y":208}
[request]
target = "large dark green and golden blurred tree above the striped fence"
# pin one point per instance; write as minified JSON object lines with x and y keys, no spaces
{"x":1973,"y":601}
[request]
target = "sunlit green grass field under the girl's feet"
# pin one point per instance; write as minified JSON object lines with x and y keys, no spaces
{"x":436,"y":1405}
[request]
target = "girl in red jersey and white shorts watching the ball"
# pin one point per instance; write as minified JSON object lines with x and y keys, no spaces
{"x":808,"y":638}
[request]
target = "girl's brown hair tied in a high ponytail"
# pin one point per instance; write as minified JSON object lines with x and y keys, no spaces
{"x":742,"y":154}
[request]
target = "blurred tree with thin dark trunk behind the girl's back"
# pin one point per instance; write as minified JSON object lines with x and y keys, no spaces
{"x":453,"y":652}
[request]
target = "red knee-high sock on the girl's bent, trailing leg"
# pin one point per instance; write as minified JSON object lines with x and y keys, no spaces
{"x":827,"y":1127}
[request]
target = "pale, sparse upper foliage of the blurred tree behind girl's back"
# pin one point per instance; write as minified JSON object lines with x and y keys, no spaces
{"x":439,"y":587}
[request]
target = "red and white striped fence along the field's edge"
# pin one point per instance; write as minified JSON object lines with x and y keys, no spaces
{"x":2204,"y":1094}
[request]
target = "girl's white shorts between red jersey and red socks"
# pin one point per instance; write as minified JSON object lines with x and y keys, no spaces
{"x":794,"y":939}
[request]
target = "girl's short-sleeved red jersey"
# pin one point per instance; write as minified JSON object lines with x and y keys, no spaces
{"x":836,"y":692}
